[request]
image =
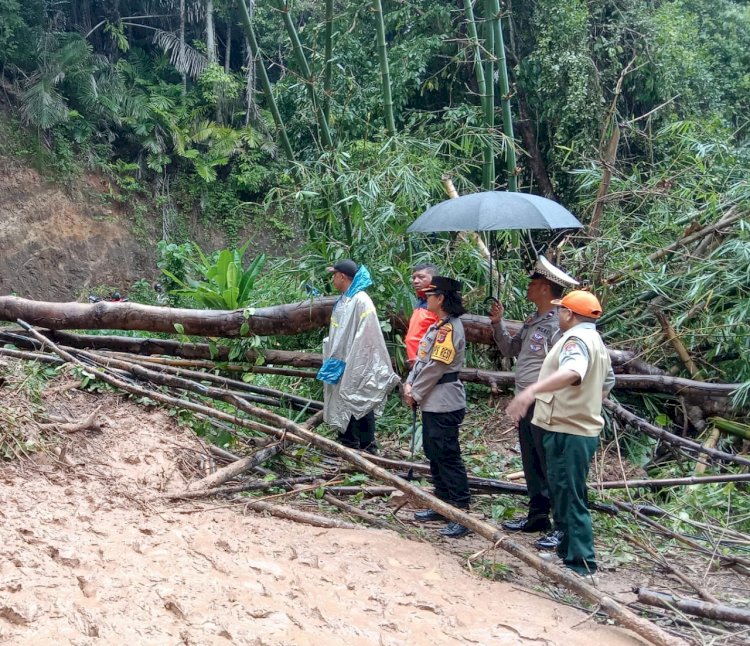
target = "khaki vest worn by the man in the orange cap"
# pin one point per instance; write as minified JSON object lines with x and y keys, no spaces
{"x":575,"y":410}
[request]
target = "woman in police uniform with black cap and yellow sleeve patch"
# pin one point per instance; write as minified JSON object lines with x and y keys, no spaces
{"x":433,"y":385}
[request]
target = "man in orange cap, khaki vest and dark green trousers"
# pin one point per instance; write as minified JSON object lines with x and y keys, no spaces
{"x":575,"y":377}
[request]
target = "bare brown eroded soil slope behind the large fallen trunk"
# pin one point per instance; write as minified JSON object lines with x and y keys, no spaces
{"x":55,"y":247}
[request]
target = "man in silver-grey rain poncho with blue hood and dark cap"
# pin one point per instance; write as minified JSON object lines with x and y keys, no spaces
{"x":356,"y":368}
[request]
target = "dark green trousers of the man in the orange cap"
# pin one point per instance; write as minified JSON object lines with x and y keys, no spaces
{"x":568,"y":459}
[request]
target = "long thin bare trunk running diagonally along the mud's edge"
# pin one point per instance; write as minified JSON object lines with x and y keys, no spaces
{"x":294,"y":432}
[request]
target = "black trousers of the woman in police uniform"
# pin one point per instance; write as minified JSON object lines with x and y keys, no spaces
{"x":440,"y":443}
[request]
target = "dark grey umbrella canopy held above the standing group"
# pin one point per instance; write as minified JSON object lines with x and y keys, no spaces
{"x":495,"y":210}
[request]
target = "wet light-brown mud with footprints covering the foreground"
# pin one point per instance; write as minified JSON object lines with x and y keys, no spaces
{"x":91,"y":554}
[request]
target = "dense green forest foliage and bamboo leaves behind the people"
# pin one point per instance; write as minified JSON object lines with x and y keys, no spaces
{"x":646,"y":99}
